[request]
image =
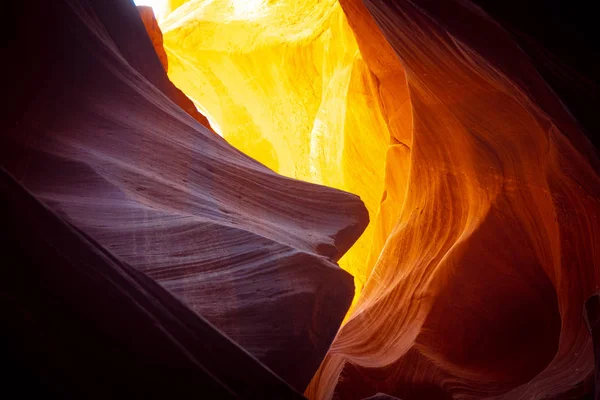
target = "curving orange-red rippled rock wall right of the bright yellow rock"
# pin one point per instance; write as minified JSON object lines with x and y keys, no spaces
{"x":480,"y":284}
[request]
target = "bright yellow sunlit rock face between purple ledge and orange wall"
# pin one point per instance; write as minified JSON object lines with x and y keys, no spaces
{"x":286,"y":84}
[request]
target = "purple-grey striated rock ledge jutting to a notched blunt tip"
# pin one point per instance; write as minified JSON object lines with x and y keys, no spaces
{"x":94,"y":133}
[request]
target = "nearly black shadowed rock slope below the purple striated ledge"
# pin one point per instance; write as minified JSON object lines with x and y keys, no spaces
{"x":79,"y":323}
